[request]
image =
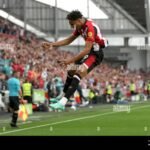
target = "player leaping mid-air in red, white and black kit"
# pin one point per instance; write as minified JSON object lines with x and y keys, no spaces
{"x":86,"y":60}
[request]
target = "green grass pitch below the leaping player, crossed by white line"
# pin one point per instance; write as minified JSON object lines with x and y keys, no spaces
{"x":100,"y":120}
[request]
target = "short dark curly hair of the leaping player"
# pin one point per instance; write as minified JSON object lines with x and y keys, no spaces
{"x":74,"y":15}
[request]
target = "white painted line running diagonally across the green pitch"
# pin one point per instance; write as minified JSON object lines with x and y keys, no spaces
{"x":66,"y":121}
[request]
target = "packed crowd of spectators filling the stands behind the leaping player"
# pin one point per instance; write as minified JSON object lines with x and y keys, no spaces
{"x":22,"y":52}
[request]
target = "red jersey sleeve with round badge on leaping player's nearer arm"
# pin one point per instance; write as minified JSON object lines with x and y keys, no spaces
{"x":90,"y":34}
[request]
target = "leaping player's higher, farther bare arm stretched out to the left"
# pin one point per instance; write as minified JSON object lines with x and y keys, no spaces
{"x":66,"y":41}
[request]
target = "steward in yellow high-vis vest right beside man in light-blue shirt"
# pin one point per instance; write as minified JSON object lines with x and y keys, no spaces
{"x":27,"y":91}
